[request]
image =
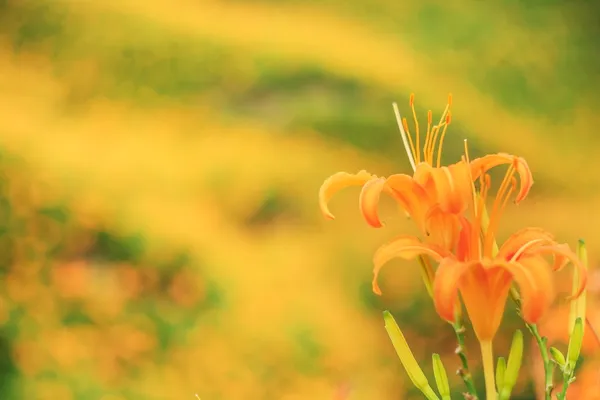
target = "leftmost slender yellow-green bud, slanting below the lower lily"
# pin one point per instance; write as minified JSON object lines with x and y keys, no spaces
{"x":410,"y":364}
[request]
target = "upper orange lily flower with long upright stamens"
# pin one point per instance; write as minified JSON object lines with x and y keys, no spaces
{"x":434,"y":196}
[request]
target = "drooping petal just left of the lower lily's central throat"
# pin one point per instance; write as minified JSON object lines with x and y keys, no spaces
{"x":445,"y":286}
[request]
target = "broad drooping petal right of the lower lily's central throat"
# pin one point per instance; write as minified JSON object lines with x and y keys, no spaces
{"x":535,"y":284}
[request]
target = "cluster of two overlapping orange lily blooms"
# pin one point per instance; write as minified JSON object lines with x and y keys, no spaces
{"x":458,"y":213}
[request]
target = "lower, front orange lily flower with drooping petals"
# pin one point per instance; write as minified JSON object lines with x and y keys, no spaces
{"x":482,"y":277}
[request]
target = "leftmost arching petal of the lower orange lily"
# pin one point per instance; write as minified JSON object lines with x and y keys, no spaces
{"x":407,"y":247}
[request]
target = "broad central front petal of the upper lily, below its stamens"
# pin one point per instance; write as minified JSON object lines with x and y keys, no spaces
{"x":450,"y":186}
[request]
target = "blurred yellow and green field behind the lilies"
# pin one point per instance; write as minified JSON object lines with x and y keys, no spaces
{"x":160,"y":163}
